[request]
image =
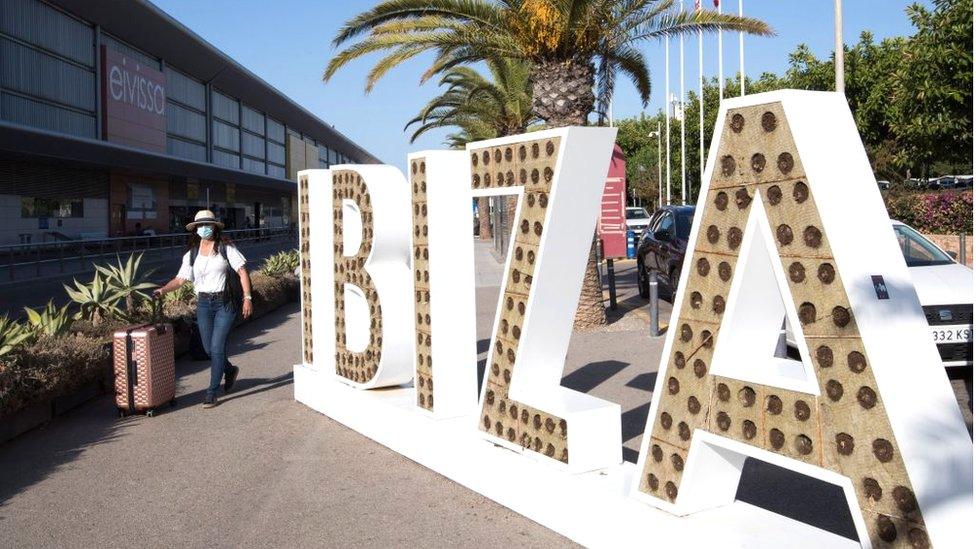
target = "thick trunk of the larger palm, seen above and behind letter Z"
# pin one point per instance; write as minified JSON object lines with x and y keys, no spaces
{"x":562,"y":95}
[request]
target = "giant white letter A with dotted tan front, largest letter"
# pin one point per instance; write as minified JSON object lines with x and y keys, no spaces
{"x":791,"y":230}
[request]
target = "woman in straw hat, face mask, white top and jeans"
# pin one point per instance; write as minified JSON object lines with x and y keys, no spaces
{"x":214,"y":265}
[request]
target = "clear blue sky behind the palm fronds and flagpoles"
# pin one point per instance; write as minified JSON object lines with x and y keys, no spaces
{"x":288,"y":44}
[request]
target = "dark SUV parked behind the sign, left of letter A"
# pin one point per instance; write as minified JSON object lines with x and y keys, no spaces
{"x":662,"y":247}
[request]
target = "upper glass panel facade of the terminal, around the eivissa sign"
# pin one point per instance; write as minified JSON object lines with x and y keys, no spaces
{"x":49,"y":79}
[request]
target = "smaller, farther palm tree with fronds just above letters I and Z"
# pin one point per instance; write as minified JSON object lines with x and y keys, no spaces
{"x":480,"y":109}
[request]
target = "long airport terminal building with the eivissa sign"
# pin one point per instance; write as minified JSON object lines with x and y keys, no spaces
{"x":115,"y":118}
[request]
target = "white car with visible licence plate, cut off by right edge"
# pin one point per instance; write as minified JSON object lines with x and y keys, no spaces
{"x":945,"y":289}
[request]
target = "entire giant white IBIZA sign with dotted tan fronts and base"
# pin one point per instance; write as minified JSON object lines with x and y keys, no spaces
{"x":790,"y":233}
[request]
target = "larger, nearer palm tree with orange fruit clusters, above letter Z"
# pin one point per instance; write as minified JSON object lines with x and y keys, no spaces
{"x":570,"y":45}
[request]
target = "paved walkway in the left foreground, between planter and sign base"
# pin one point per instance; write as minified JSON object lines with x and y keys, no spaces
{"x":259,"y":470}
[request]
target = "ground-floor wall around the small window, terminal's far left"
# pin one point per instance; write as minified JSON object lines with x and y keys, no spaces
{"x":95,"y":221}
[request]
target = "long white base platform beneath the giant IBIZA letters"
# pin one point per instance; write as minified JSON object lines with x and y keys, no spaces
{"x":594,"y":509}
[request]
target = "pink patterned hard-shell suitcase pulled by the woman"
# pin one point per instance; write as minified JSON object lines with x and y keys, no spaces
{"x":145,"y":370}
